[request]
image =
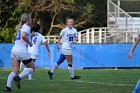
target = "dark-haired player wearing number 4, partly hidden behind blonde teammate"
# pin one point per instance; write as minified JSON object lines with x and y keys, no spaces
{"x":36,"y":40}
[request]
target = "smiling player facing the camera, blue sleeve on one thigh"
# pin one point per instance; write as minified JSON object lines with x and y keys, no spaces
{"x":69,"y":34}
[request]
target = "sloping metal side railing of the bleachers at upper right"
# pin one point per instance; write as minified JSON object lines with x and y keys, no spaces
{"x":117,"y":17}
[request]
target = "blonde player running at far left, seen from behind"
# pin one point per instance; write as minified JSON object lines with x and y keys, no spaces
{"x":20,"y":53}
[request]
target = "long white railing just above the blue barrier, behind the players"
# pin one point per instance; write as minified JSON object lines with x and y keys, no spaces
{"x":102,"y":35}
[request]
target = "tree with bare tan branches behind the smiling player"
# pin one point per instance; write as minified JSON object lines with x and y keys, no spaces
{"x":55,"y":9}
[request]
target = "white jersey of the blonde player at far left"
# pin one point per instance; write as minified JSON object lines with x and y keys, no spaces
{"x":20,"y":45}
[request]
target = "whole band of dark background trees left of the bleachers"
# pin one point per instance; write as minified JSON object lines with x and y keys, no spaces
{"x":51,"y":14}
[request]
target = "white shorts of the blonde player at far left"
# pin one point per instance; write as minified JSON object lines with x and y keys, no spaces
{"x":20,"y":56}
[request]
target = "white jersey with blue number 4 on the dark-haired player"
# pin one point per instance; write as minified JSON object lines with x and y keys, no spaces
{"x":36,"y":41}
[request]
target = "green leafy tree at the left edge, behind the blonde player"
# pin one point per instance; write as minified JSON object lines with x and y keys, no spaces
{"x":9,"y":19}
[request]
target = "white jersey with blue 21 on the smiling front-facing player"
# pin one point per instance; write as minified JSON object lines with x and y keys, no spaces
{"x":68,"y":35}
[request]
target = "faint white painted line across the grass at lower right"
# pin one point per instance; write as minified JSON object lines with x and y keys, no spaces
{"x":103,"y":83}
